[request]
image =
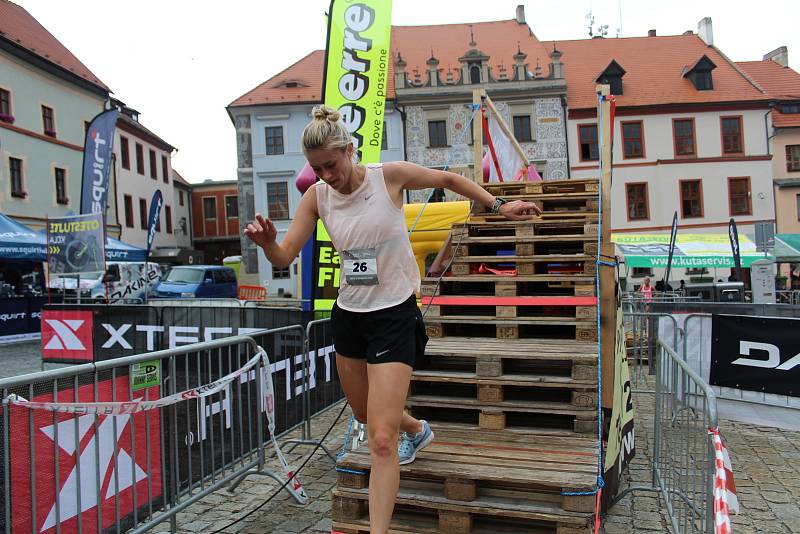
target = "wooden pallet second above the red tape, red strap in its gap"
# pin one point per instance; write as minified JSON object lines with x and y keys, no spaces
{"x":528,"y":265}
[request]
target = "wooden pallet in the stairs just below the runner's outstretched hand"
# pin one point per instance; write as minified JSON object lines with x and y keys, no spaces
{"x":535,"y":228}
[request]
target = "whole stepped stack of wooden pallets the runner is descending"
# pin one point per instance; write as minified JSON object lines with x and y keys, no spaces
{"x":511,"y":392}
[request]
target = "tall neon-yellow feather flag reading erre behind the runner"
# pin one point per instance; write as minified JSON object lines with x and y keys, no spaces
{"x":356,"y":71}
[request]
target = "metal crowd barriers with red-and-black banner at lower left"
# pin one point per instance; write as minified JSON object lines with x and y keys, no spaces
{"x":78,"y":467}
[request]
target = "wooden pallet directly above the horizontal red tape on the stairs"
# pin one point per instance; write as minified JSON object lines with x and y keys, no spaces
{"x":509,"y":286}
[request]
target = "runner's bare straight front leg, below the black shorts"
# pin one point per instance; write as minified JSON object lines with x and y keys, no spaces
{"x":388,"y":387}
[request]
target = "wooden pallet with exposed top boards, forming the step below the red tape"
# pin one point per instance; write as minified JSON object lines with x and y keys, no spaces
{"x":496,"y":358}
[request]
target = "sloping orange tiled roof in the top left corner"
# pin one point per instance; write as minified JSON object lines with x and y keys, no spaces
{"x":19,"y":28}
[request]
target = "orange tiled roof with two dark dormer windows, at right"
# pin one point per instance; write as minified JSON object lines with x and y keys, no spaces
{"x":654,"y":71}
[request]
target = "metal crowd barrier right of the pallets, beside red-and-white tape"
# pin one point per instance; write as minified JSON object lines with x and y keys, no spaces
{"x":683,"y":451}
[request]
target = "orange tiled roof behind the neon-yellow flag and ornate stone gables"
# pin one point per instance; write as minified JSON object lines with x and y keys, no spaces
{"x":302,"y":82}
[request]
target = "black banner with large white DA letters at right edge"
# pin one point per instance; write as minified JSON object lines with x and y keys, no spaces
{"x":756,"y":354}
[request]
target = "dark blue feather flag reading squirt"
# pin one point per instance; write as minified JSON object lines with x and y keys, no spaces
{"x":97,"y":150}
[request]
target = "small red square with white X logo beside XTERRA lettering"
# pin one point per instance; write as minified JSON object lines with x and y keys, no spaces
{"x":67,"y":335}
